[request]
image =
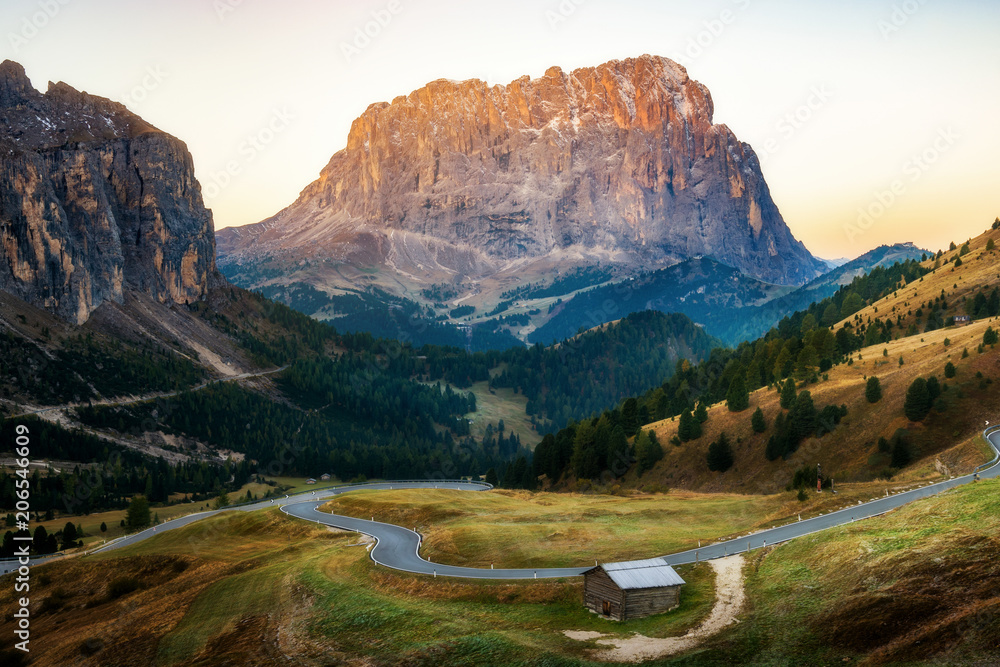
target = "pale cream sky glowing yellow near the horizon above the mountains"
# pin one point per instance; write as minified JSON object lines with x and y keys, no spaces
{"x":875,"y":120}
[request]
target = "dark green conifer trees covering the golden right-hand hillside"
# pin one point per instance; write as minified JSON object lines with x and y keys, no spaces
{"x":799,"y":350}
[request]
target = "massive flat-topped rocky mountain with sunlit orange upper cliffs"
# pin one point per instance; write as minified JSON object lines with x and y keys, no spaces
{"x":620,"y":162}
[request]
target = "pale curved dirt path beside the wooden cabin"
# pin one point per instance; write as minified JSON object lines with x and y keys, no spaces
{"x":729,"y":598}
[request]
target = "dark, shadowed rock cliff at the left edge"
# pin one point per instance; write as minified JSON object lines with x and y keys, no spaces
{"x":94,"y":201}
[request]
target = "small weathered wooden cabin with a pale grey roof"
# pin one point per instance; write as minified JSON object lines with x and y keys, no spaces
{"x":623,"y":591}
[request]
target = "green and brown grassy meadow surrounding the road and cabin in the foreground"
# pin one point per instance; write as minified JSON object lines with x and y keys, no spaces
{"x":918,"y":586}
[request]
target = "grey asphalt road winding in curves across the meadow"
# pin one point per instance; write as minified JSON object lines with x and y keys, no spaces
{"x":398,"y":548}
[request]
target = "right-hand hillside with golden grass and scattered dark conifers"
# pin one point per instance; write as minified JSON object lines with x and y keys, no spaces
{"x":830,"y":351}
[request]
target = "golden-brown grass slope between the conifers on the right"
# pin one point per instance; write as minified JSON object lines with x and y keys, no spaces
{"x":849,"y":453}
